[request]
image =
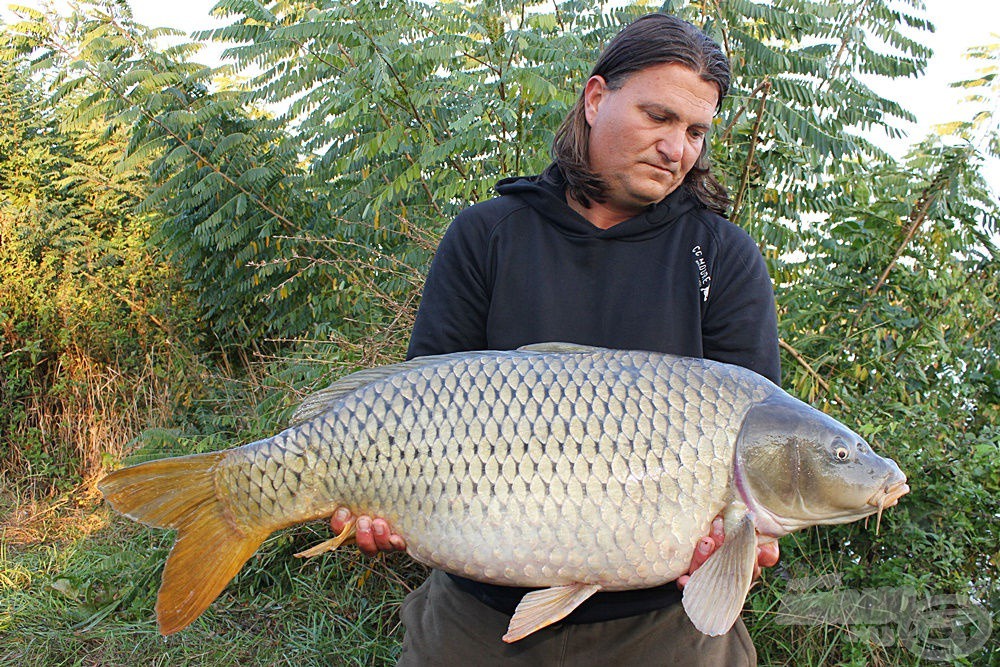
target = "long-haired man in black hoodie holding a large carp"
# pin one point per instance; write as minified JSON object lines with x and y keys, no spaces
{"x":619,"y":243}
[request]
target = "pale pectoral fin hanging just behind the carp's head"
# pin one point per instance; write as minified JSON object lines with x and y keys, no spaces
{"x":714,"y":596}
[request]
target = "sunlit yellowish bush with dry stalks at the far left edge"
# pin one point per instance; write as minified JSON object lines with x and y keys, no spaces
{"x":88,"y":316}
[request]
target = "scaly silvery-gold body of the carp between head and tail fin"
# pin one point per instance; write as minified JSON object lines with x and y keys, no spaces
{"x":417,"y":426}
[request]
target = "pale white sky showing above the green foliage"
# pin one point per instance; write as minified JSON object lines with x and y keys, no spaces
{"x":959,"y":24}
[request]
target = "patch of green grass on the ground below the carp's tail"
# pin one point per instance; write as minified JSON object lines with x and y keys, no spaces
{"x":78,"y":586}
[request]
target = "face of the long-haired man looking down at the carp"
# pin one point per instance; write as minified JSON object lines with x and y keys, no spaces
{"x":646,"y":135}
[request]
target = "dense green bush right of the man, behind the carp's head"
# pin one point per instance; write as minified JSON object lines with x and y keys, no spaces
{"x":888,"y":315}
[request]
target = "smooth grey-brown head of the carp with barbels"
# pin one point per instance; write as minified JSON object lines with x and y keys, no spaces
{"x":798,"y":467}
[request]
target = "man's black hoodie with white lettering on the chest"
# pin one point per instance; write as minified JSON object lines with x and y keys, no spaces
{"x":526,"y":268}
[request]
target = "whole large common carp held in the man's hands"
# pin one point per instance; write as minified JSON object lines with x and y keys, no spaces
{"x":625,"y":456}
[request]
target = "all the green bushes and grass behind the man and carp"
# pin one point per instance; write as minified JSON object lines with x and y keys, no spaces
{"x":186,"y":250}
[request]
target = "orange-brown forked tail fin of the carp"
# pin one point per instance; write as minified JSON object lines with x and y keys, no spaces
{"x":210,"y":548}
